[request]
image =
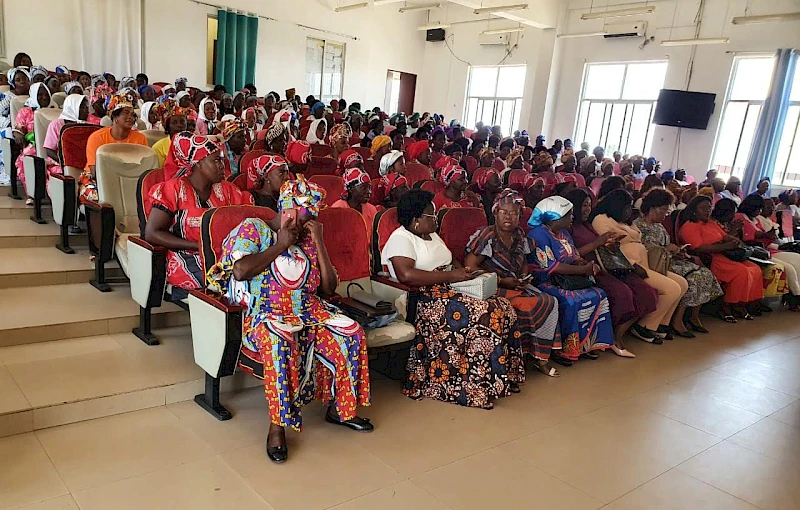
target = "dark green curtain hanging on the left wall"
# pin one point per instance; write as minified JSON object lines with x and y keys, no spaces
{"x":237,"y":38}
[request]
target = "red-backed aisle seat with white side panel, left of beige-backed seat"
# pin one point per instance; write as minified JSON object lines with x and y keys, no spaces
{"x":64,"y":187}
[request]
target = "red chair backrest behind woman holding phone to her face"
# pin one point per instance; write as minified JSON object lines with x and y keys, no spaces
{"x":218,"y":222}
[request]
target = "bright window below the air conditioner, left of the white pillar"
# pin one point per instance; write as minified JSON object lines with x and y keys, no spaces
{"x":494,"y":96}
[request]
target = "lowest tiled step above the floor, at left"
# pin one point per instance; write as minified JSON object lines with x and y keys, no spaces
{"x":77,"y":379}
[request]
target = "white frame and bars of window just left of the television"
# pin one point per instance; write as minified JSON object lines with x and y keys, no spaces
{"x":603,"y":141}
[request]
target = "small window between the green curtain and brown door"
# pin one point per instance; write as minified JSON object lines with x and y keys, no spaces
{"x":324,"y":69}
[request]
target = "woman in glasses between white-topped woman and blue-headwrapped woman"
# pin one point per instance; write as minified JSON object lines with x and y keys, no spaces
{"x":503,"y":249}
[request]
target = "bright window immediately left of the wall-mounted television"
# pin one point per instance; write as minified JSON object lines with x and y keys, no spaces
{"x":617,"y":105}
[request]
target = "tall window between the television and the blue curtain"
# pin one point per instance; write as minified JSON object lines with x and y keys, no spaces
{"x":747,"y":90}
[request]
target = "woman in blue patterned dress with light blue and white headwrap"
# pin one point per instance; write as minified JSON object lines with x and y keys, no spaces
{"x":583,"y":310}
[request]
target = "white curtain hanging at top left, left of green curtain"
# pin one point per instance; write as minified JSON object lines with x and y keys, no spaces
{"x":110,"y":33}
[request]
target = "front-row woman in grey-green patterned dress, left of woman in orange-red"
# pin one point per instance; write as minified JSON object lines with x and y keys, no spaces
{"x":703,"y":287}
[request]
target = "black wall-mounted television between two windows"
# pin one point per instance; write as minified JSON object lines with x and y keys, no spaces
{"x":680,"y":108}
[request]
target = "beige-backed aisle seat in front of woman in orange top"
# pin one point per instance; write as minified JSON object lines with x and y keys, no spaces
{"x":114,"y":218}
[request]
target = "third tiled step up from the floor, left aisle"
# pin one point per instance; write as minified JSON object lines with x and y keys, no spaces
{"x":29,"y":267}
